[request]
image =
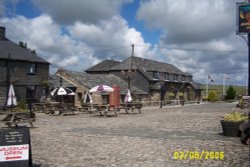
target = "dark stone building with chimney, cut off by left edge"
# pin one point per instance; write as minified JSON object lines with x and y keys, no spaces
{"x":25,"y":70}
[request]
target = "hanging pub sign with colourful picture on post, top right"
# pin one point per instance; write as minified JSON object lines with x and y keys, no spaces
{"x":243,"y":18}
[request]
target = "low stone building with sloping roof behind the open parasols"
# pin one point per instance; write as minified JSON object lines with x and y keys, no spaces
{"x":83,"y":82}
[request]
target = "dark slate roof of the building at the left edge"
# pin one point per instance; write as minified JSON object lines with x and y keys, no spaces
{"x":18,"y":53}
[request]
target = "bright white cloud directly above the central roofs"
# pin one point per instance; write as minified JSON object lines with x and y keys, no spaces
{"x":110,"y":38}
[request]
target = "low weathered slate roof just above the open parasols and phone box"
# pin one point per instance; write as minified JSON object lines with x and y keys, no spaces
{"x":90,"y":80}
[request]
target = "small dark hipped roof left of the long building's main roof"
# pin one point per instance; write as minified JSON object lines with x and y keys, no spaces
{"x":105,"y":66}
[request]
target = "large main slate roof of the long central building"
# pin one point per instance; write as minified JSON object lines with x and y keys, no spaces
{"x":147,"y":65}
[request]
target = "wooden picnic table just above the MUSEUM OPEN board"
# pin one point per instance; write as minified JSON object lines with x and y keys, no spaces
{"x":15,"y":118}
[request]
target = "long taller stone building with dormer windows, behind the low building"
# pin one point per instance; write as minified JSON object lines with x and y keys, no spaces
{"x":161,"y":81}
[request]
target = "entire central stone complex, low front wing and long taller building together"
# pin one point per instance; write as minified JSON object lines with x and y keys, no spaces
{"x":148,"y":80}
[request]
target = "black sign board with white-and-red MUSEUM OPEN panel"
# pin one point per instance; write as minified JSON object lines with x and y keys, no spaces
{"x":15,"y":148}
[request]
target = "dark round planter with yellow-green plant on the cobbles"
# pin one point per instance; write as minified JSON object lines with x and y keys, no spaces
{"x":231,"y":122}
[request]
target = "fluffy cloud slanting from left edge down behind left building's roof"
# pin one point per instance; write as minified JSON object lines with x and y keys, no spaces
{"x":43,"y":35}
